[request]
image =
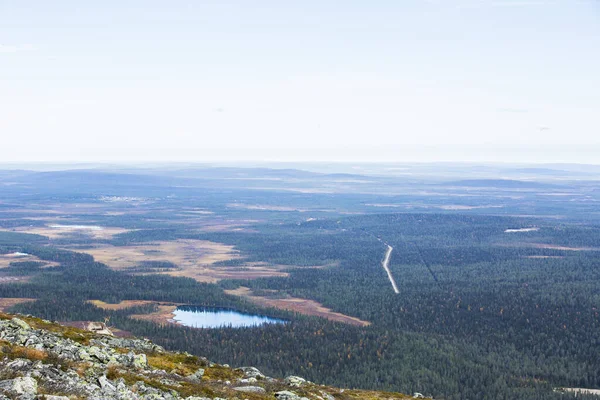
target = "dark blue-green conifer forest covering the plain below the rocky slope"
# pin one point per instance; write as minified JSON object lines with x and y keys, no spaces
{"x":490,"y":306}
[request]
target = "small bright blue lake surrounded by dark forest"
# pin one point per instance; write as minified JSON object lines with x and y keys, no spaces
{"x":203,"y":317}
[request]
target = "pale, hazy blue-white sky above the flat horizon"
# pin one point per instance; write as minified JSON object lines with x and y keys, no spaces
{"x":311,"y":80}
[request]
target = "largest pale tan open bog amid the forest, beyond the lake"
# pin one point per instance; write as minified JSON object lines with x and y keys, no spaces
{"x":194,"y":258}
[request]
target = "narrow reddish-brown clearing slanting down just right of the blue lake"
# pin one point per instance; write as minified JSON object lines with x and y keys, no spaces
{"x":302,"y":306}
